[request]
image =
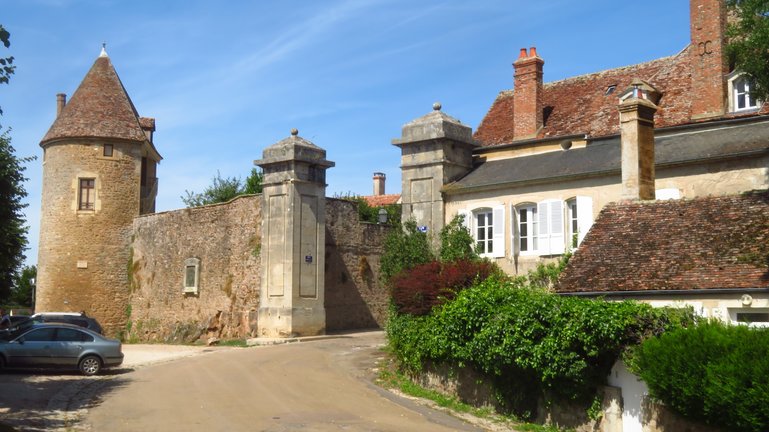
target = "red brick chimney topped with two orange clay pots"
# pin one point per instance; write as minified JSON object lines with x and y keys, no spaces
{"x":527,"y":103}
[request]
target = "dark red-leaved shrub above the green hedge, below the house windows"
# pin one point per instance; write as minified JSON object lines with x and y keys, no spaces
{"x":418,"y":290}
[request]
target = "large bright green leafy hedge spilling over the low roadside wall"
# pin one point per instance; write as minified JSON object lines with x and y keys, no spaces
{"x":528,"y":339}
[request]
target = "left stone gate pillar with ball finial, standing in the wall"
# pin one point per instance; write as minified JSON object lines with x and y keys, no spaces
{"x":293,"y":239}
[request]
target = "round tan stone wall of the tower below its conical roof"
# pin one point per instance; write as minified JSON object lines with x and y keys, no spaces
{"x":83,"y":255}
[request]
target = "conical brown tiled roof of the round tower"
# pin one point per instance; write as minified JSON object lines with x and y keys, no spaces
{"x":99,"y":108}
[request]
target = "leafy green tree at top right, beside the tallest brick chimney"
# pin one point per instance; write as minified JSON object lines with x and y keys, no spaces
{"x":748,"y":42}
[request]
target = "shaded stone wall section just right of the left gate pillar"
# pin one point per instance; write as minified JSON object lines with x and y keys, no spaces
{"x":355,"y":299}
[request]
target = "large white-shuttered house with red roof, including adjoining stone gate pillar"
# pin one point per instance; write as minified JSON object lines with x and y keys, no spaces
{"x":547,"y":157}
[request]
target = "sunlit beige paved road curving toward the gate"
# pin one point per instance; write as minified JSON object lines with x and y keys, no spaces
{"x":321,"y":385}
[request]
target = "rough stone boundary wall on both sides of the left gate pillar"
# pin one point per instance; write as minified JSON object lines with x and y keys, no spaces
{"x":226,"y":238}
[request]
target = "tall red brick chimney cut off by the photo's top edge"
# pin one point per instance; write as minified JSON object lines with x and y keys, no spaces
{"x":707,"y":57}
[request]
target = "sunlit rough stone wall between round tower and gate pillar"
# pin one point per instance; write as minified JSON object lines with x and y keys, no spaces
{"x":226,"y":239}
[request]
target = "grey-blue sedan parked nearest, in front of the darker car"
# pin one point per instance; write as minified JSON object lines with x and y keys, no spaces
{"x":63,"y":346}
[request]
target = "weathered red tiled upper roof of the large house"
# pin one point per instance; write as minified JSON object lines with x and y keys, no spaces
{"x":581,"y":105}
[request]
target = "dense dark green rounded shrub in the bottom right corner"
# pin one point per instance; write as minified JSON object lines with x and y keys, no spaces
{"x":713,"y":372}
